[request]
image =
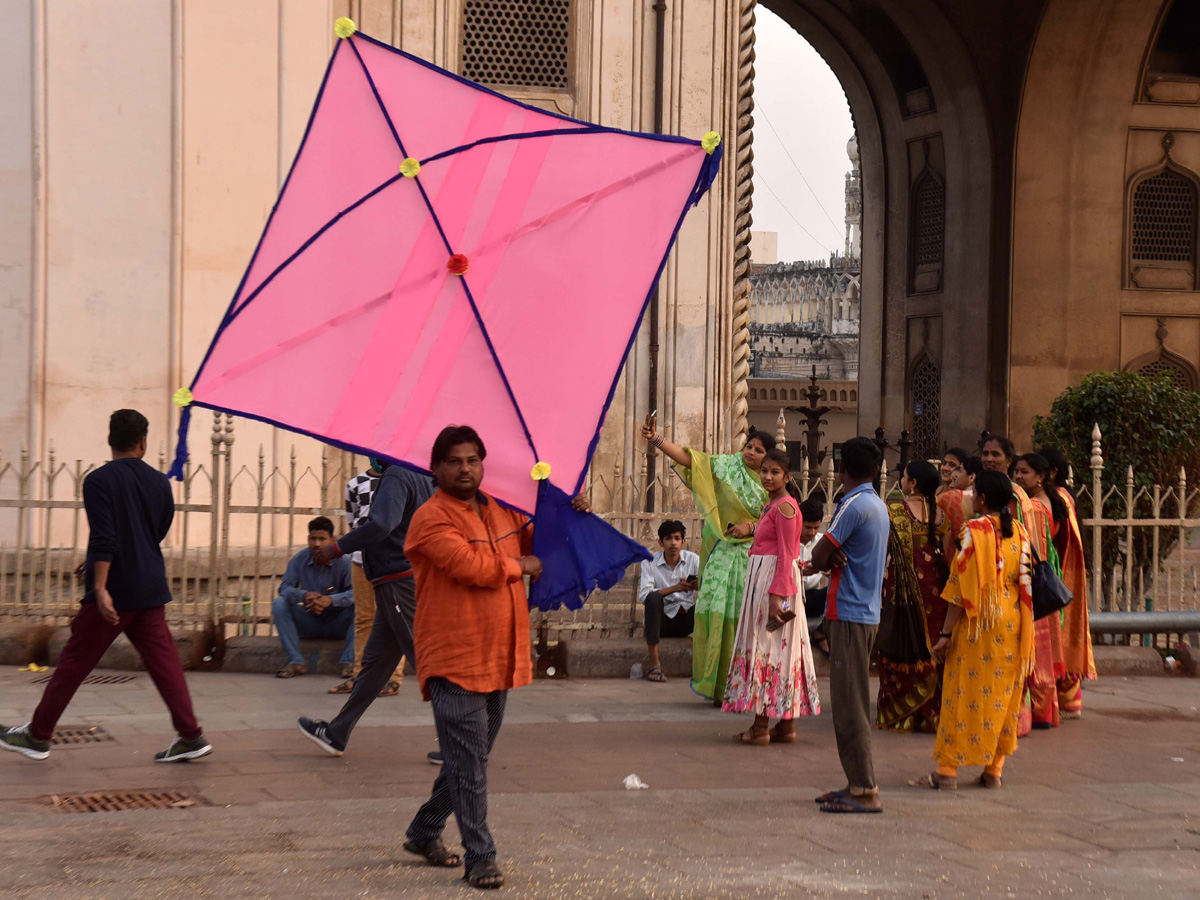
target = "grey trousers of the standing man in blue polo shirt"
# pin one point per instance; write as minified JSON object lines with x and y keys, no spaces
{"x":850,"y":695}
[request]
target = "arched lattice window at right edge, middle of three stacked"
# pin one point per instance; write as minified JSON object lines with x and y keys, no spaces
{"x":1165,"y":219}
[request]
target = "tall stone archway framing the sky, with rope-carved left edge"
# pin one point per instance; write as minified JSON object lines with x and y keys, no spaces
{"x":919,"y":106}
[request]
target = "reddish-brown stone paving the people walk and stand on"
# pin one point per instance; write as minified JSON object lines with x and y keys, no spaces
{"x":1108,"y":807}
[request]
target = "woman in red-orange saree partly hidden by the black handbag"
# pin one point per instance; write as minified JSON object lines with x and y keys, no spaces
{"x":1046,"y":517}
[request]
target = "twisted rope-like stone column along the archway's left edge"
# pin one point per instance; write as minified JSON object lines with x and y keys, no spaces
{"x":743,"y":193}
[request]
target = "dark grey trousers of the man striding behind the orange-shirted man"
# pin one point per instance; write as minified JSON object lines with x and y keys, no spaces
{"x":392,"y":638}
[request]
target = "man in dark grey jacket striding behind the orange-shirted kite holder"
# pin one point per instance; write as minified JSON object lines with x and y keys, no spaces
{"x":382,"y":541}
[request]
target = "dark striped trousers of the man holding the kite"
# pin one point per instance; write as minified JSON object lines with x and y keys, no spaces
{"x":467,"y":725}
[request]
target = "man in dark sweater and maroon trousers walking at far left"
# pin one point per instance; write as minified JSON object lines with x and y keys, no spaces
{"x":130,"y":509}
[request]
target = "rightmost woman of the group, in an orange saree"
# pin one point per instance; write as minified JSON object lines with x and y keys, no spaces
{"x":1077,"y":635}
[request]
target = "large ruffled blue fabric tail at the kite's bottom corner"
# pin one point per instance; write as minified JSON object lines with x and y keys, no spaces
{"x":579,"y":553}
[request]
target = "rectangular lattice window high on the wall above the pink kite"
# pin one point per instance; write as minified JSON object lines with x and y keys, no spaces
{"x":518,"y":44}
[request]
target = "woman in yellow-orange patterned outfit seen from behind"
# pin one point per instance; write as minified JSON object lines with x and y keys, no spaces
{"x":987,"y":641}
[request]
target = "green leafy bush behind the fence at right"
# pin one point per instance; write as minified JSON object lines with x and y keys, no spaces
{"x":1147,"y":423}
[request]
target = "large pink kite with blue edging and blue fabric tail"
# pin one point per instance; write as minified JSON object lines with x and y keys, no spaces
{"x":443,"y":255}
